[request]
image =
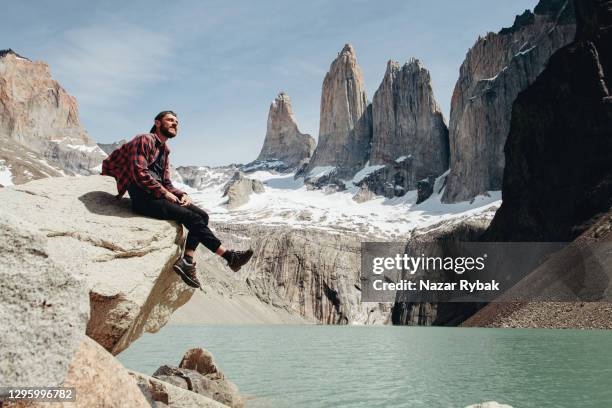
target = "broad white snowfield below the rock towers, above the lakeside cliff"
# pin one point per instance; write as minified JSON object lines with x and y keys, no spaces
{"x":287,"y":199}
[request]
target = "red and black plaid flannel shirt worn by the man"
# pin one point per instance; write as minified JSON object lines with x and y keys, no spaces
{"x":129,"y":164}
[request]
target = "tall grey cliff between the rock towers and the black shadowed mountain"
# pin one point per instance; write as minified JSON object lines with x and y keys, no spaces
{"x":496,"y":69}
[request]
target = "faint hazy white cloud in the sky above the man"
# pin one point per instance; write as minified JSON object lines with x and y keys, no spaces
{"x":105,"y":64}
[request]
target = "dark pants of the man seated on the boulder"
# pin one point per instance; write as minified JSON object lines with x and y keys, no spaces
{"x":192,"y":217}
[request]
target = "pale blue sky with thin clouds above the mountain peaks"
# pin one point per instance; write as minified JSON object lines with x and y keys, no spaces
{"x":219,"y":64}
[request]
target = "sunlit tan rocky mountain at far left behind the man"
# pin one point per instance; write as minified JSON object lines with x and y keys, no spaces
{"x":37,"y":113}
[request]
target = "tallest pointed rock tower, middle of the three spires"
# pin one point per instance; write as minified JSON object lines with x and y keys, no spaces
{"x":345,"y":129}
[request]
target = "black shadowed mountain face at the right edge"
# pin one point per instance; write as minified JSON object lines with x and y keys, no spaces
{"x":558,"y":154}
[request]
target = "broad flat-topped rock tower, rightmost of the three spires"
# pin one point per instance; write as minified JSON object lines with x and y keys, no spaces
{"x":410,"y":136}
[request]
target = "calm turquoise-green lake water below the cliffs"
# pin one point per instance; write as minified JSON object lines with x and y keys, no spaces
{"x":429,"y":367}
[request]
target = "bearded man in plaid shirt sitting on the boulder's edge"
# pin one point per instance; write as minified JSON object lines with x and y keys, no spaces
{"x":141,"y":167}
